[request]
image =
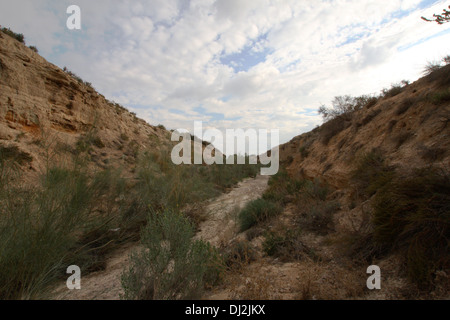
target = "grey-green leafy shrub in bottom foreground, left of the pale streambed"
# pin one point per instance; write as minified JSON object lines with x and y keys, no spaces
{"x":172,"y":266}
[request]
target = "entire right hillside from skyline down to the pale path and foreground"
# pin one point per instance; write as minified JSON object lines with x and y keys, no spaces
{"x":368,"y":187}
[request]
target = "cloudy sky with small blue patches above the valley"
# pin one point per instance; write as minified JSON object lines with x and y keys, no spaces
{"x":244,"y":64}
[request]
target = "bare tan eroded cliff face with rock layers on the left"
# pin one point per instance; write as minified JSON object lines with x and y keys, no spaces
{"x":43,"y":107}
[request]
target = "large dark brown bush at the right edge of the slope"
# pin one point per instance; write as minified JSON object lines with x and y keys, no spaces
{"x":411,"y":214}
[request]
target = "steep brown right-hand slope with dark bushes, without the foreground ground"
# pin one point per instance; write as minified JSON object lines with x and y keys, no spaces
{"x":386,"y":170}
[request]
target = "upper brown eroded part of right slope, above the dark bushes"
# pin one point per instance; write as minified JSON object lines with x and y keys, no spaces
{"x":411,"y":130}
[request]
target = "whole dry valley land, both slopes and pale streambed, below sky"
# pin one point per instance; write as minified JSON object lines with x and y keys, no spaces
{"x":81,"y":178}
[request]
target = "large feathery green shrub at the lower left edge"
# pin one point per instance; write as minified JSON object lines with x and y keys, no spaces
{"x":37,"y":229}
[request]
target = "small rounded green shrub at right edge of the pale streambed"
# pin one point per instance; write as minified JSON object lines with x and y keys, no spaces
{"x":257,"y":211}
